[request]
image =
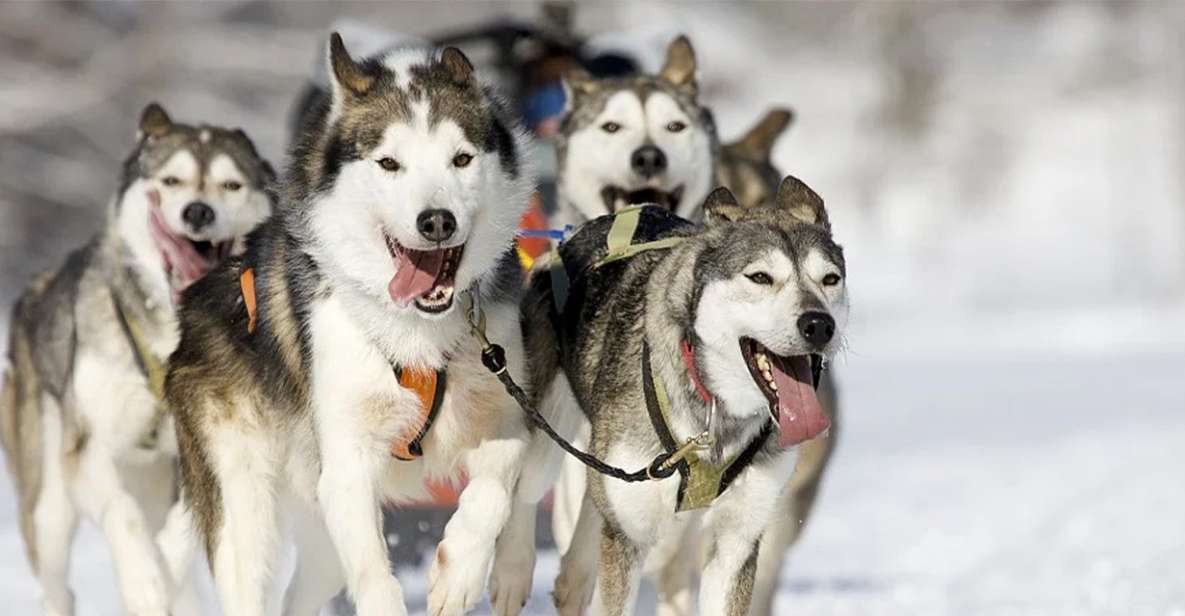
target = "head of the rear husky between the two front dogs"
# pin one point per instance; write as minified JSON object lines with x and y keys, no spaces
{"x":632,"y":140}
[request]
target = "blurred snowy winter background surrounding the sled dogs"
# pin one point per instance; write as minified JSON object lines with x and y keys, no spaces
{"x":1009,"y":183}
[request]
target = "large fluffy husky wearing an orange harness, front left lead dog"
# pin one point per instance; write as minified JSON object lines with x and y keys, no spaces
{"x":291,"y":384}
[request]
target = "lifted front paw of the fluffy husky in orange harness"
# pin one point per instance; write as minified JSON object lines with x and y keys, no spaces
{"x":456,"y":580}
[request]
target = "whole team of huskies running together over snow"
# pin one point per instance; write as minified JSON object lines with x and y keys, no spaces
{"x":310,"y":349}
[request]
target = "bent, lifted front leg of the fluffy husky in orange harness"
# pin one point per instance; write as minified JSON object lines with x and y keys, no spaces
{"x":463,"y":559}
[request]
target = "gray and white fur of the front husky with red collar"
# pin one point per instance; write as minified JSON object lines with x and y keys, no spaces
{"x":696,"y":292}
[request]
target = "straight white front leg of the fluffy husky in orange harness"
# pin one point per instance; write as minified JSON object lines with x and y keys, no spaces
{"x":349,"y":499}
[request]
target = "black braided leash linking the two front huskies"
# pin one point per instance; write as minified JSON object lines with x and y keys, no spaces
{"x":494,"y":357}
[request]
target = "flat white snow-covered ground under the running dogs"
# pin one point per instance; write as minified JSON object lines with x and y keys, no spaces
{"x":971,"y":486}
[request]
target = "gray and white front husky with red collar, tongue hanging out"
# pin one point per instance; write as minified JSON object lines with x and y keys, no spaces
{"x":726,"y":323}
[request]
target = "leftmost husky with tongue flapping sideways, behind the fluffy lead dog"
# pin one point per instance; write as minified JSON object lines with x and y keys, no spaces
{"x":81,"y":418}
